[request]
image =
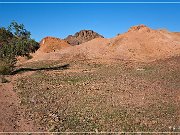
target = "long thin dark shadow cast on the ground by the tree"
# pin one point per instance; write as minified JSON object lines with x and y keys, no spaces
{"x":20,"y":70}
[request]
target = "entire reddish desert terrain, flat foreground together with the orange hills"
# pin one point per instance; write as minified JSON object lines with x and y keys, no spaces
{"x":129,"y":83}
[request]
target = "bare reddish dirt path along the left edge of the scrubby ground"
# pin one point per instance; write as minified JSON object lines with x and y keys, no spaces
{"x":11,"y":113}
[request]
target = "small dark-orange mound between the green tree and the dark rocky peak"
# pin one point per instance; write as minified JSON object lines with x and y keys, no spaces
{"x":52,"y":44}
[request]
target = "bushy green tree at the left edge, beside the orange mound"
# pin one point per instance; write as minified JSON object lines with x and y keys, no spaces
{"x":14,"y":41}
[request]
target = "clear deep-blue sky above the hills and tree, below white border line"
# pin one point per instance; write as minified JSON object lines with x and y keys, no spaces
{"x":60,"y":20}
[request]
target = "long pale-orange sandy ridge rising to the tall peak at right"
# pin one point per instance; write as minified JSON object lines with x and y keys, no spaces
{"x":140,"y":43}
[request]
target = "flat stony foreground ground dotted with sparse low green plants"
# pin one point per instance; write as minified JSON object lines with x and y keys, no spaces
{"x":122,"y":100}
